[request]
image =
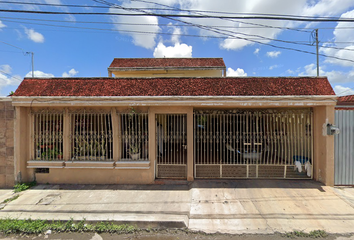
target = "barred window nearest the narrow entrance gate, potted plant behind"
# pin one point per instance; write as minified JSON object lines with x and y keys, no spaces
{"x":134,"y":136}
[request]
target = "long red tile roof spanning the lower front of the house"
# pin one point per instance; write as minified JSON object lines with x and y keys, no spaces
{"x":230,"y":86}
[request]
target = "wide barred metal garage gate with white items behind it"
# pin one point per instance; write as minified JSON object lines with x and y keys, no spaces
{"x":271,"y":143}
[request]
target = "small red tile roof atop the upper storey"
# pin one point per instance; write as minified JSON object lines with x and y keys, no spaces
{"x":167,"y":62}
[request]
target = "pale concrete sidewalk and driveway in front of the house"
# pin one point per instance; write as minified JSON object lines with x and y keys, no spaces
{"x":242,"y":206}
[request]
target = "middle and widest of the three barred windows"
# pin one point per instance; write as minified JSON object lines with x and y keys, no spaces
{"x":91,"y":135}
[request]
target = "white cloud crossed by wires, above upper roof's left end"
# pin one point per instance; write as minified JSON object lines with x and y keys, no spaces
{"x":139,"y":39}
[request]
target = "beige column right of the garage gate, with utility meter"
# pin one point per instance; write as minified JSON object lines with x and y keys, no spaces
{"x":323,"y":145}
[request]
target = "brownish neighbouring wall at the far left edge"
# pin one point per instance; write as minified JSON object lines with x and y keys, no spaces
{"x":7,"y":113}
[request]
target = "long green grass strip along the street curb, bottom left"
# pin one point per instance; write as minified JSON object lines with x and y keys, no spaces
{"x":29,"y":226}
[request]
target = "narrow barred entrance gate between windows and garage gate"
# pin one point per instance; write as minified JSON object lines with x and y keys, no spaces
{"x":171,"y":148}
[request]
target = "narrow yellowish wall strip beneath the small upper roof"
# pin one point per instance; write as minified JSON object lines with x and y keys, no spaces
{"x":168,"y":73}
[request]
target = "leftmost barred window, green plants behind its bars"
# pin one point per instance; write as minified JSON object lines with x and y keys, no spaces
{"x":48,"y":135}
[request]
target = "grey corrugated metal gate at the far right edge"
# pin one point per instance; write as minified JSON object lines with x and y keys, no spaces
{"x":344,"y":148}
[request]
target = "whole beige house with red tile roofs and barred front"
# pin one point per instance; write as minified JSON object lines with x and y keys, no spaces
{"x":184,"y":121}
